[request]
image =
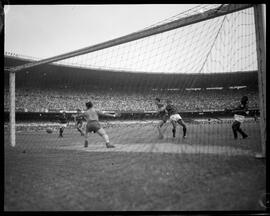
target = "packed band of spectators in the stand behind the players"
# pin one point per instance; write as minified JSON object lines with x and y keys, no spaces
{"x":43,"y":100}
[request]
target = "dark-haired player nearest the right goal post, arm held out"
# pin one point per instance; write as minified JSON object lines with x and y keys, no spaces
{"x":239,"y":115}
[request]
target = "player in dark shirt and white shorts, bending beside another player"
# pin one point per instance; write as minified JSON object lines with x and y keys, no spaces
{"x":175,"y":117}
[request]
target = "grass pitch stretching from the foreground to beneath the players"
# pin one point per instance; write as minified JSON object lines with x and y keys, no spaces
{"x":207,"y":171}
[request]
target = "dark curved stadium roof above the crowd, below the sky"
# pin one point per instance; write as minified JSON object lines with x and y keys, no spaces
{"x":55,"y":76}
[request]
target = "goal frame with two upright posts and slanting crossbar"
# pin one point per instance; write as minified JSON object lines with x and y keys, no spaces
{"x":260,"y":29}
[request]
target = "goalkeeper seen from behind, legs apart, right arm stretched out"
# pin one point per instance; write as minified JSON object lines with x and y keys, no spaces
{"x":91,"y":115}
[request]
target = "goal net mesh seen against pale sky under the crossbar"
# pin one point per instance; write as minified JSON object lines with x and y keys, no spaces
{"x":222,"y":44}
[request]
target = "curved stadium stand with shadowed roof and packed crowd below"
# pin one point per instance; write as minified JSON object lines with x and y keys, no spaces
{"x":62,"y":87}
